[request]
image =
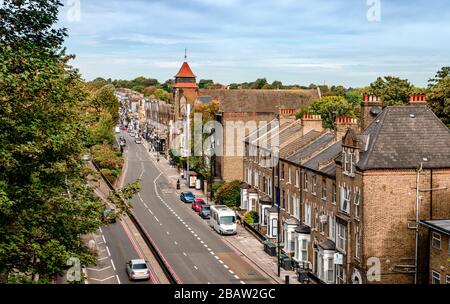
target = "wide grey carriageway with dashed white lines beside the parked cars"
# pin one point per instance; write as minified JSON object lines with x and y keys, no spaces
{"x":194,"y":252}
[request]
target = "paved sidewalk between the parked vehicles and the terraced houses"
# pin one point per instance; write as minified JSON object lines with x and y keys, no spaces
{"x":244,"y":242}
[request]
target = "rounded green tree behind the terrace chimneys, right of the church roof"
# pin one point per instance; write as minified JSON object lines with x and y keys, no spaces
{"x":330,"y":108}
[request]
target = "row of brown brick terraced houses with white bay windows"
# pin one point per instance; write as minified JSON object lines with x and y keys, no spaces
{"x":348,"y":197}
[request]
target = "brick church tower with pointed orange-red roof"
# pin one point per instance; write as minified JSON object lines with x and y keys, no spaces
{"x":185,"y":89}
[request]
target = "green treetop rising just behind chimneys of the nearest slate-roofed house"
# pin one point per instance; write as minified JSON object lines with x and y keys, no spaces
{"x":392,"y":90}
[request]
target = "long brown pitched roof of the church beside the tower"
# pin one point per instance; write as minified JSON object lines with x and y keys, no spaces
{"x":262,"y":101}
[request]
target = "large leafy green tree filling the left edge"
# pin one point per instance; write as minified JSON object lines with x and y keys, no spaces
{"x":45,"y":204}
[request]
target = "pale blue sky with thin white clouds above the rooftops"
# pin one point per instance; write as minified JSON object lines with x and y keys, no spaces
{"x":342,"y":42}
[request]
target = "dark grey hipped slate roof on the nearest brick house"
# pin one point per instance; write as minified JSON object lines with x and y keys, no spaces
{"x":401,"y":136}
